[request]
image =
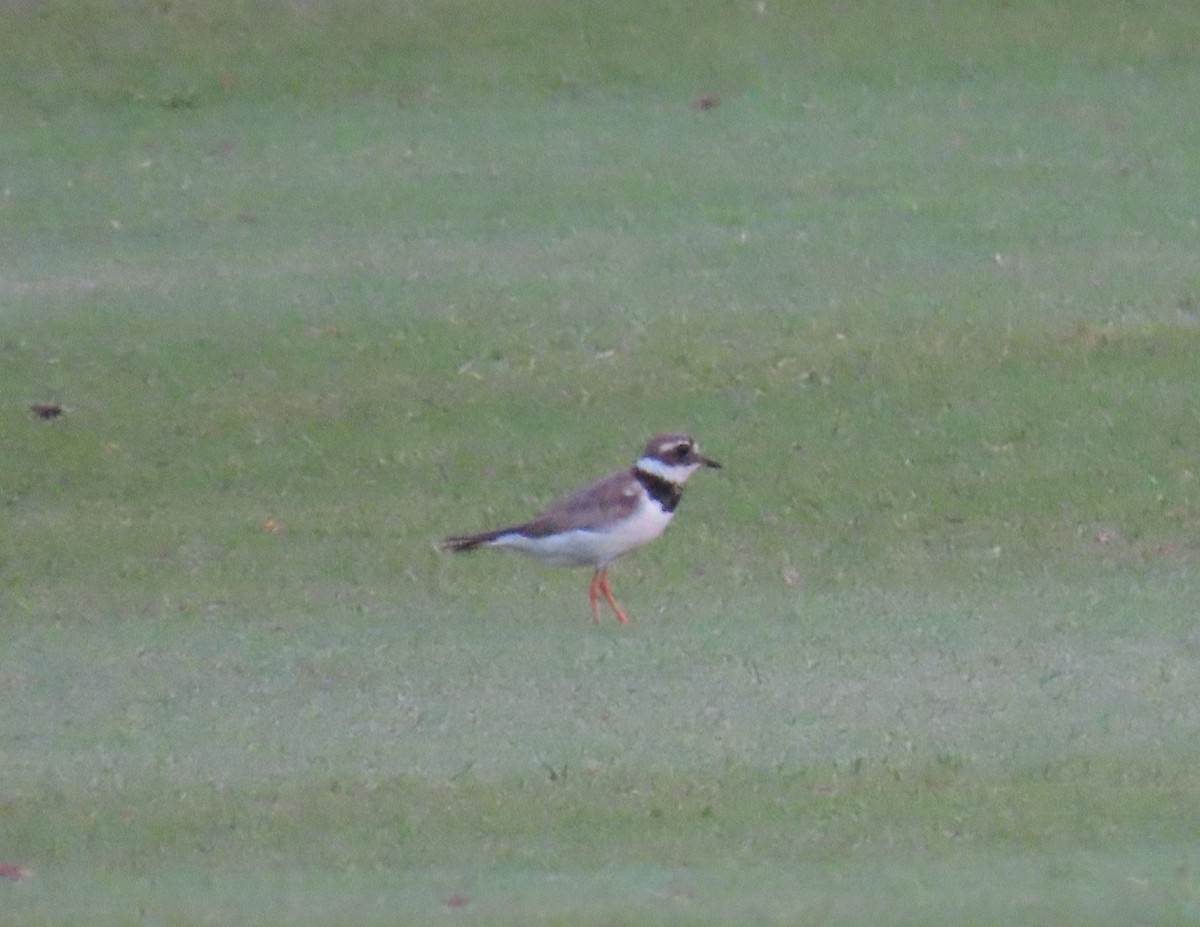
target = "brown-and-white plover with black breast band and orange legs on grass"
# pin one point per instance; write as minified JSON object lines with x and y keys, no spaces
{"x":602,"y":522}
